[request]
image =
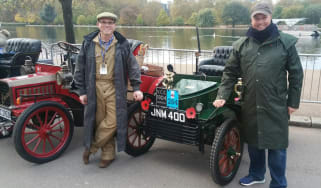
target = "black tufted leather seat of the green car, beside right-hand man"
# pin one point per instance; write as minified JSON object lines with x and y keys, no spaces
{"x":215,"y":65}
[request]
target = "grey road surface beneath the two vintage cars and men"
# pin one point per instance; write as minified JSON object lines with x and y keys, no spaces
{"x":167,"y":165}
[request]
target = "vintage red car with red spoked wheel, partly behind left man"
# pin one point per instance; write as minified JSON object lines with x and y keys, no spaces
{"x":42,"y":108}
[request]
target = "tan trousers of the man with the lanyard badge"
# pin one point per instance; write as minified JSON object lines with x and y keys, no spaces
{"x":105,"y":120}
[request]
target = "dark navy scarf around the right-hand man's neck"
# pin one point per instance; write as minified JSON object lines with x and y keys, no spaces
{"x":270,"y":32}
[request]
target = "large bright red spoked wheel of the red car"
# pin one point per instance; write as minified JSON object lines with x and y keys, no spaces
{"x":43,"y":132}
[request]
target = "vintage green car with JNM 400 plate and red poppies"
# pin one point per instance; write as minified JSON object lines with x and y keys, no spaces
{"x":181,"y":110}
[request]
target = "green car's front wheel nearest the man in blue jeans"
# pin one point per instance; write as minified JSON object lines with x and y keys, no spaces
{"x":226,"y":152}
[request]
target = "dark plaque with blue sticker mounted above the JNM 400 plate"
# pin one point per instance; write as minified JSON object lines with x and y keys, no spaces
{"x":167,"y":98}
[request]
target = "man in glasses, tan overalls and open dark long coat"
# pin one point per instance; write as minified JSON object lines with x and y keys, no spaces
{"x":103,"y":66}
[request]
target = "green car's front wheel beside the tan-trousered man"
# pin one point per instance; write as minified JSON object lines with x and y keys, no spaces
{"x":139,"y":137}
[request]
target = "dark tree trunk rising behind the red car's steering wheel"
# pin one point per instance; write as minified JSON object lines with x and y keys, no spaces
{"x":66,"y":6}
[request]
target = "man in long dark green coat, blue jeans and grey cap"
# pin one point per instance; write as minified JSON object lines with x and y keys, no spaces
{"x":270,"y":67}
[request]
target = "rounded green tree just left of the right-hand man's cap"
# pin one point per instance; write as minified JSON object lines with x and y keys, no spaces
{"x":235,"y":13}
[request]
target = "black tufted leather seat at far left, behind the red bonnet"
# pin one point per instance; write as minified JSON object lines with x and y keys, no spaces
{"x":17,"y":51}
